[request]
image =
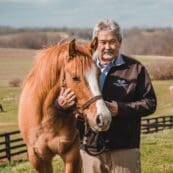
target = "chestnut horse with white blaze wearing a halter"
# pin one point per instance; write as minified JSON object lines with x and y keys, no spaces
{"x":46,"y":130}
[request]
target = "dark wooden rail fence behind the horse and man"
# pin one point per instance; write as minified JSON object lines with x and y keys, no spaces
{"x":11,"y":144}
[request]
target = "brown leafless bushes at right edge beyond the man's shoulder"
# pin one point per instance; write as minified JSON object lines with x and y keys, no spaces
{"x":161,"y":69}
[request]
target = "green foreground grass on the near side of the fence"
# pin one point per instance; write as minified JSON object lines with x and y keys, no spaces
{"x":156,"y":156}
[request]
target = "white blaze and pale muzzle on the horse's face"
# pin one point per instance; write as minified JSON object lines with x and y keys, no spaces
{"x":103,"y":118}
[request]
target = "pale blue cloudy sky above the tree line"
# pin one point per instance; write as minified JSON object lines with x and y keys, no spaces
{"x":85,"y":13}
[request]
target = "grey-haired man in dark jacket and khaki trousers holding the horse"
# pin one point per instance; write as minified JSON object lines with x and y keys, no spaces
{"x":128,"y":93}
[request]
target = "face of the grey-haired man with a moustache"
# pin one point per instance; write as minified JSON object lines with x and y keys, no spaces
{"x":108,"y":46}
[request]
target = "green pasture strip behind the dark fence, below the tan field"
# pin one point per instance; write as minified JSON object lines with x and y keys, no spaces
{"x":9,"y":97}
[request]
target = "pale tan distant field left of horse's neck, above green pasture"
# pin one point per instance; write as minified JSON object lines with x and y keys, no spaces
{"x":14,"y":63}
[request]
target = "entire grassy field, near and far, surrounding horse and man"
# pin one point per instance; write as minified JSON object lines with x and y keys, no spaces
{"x":157,"y":149}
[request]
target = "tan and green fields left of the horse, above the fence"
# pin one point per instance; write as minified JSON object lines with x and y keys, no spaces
{"x":14,"y":63}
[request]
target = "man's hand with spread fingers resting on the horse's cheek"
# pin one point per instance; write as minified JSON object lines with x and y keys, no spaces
{"x":66,"y":98}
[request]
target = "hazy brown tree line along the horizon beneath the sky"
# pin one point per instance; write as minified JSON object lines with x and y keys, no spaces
{"x":143,"y":41}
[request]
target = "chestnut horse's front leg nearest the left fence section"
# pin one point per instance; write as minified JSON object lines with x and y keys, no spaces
{"x":40,"y":164}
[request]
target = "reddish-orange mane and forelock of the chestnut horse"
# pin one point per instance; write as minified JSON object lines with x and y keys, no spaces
{"x":48,"y":62}
